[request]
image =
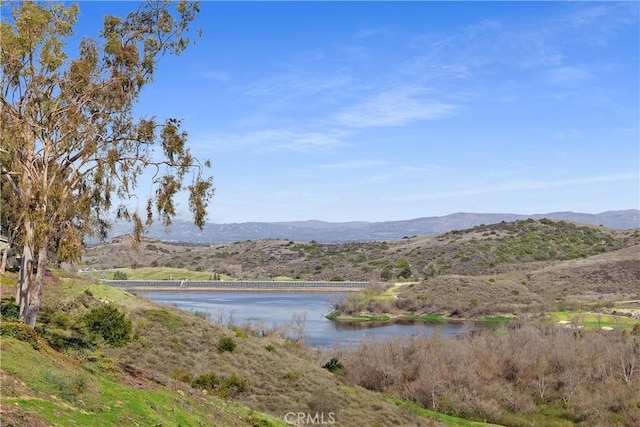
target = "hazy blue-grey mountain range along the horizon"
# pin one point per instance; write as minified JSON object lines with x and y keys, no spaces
{"x":333,"y":232}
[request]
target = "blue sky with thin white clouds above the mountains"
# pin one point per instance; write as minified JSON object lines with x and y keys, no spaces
{"x":378,"y":111}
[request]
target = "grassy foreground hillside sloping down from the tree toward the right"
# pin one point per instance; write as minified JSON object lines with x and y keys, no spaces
{"x":173,"y":371}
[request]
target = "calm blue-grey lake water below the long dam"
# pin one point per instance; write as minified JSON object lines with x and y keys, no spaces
{"x":279,"y":308}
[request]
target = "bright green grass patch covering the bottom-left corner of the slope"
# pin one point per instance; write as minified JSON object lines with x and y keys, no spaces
{"x":62,"y":393}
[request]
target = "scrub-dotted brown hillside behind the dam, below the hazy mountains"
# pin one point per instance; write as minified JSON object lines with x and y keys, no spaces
{"x":491,"y":249}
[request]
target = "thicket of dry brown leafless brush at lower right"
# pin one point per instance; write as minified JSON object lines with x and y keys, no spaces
{"x":530,"y":374}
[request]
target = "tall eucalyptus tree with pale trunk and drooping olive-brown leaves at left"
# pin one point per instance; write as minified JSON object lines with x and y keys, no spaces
{"x":72,"y":151}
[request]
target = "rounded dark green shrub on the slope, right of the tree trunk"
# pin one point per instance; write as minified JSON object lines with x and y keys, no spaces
{"x":109,"y":323}
